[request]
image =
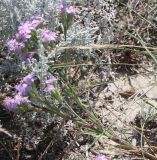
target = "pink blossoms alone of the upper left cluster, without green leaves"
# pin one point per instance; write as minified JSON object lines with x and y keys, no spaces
{"x":24,"y":35}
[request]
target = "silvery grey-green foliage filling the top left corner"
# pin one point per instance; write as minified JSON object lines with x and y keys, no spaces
{"x":12,"y":12}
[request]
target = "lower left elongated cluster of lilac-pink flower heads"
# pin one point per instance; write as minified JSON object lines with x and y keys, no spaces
{"x":22,"y":90}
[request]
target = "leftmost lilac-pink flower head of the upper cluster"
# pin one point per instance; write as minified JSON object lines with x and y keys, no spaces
{"x":14,"y":46}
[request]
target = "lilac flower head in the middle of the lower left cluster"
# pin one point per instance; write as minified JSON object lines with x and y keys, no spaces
{"x":23,"y":89}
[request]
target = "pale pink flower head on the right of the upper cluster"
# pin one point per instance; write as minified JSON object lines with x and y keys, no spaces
{"x":47,"y":35}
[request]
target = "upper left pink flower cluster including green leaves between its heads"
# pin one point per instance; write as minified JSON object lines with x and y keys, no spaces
{"x":25,"y":42}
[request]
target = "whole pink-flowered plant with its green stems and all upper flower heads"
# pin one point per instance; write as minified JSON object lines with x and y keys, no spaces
{"x":50,"y":94}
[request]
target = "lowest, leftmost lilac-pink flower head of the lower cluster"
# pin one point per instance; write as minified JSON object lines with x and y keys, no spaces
{"x":10,"y":103}
